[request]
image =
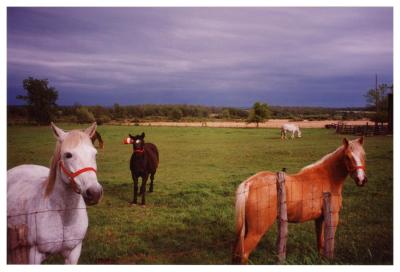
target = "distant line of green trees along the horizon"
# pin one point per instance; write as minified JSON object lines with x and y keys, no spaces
{"x":41,"y":108}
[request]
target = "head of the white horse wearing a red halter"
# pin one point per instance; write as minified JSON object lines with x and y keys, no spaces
{"x":77,"y":162}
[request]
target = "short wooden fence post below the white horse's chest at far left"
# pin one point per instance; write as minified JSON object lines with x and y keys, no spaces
{"x":17,"y":244}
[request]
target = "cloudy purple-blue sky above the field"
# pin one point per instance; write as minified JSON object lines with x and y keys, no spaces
{"x":211,"y":56}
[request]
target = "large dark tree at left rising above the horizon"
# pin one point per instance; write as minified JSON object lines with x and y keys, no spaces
{"x":41,"y":100}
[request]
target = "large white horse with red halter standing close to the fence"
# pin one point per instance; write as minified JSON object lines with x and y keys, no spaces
{"x":51,"y":202}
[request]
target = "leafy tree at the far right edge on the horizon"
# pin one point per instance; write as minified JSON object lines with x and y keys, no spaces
{"x":378,"y":99}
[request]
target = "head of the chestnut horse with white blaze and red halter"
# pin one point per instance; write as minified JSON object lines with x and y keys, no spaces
{"x":354,"y":157}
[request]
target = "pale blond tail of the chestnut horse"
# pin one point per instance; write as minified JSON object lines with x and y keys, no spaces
{"x":240,"y":211}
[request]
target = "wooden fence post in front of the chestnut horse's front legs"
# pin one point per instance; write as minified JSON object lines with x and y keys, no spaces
{"x":329,"y":236}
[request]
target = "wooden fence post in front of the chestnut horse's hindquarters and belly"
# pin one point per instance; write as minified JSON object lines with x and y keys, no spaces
{"x":282,"y":217}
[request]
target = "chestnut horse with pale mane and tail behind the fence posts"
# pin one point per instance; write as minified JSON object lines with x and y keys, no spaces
{"x":256,"y":197}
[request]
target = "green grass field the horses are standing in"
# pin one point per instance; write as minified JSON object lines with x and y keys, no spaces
{"x":189,"y":219}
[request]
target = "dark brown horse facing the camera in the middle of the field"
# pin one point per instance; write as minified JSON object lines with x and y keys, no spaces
{"x":144,"y":163}
